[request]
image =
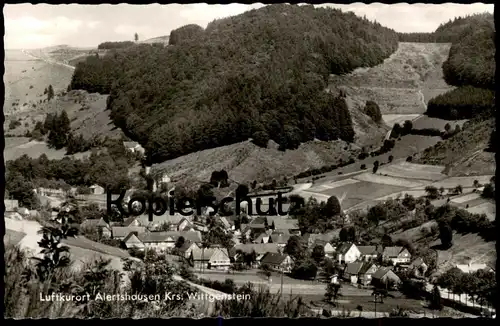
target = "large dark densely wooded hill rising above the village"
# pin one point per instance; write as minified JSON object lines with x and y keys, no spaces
{"x":259,"y":75}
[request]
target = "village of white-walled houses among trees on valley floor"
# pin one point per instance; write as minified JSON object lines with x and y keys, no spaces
{"x":327,"y":257}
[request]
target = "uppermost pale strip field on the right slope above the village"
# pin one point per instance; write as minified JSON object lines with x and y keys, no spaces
{"x":414,"y":171}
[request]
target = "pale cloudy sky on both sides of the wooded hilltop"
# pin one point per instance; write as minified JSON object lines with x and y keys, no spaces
{"x":29,"y":26}
